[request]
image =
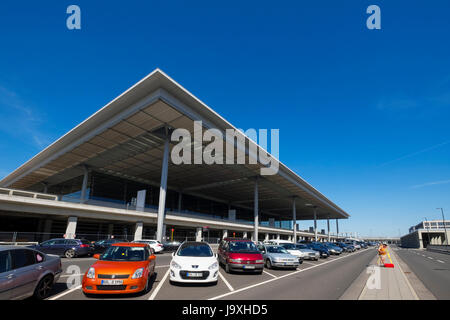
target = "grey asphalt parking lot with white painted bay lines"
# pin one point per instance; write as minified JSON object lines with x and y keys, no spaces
{"x":332,"y":276}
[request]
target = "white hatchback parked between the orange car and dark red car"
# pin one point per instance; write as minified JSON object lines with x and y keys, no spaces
{"x":194,"y":262}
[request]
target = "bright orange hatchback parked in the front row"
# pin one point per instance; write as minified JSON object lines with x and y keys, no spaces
{"x":122,"y":268}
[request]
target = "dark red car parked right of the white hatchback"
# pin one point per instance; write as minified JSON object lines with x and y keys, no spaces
{"x":242,"y":255}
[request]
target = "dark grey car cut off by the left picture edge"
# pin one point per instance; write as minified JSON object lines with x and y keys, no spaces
{"x":26,"y":272}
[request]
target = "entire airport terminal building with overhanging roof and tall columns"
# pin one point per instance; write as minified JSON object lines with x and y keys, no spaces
{"x":112,"y":175}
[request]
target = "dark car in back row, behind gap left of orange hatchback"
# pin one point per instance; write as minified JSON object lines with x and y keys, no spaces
{"x":69,"y":248}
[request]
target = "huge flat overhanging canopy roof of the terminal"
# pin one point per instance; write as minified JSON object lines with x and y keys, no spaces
{"x":123,"y":139}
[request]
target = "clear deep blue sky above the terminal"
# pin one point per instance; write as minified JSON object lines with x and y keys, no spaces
{"x":363,"y":114}
